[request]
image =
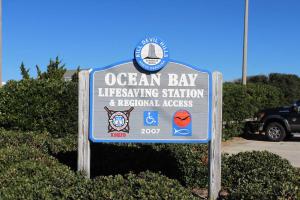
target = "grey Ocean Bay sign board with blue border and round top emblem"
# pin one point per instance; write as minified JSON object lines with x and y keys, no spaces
{"x":150,"y":99}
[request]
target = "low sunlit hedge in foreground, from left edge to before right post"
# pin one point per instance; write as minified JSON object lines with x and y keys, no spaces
{"x":28,"y":173}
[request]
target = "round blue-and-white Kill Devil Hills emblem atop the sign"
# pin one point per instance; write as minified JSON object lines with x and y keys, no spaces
{"x":151,"y":54}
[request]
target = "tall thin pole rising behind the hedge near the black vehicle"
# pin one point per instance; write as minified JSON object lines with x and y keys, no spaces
{"x":245,"y":43}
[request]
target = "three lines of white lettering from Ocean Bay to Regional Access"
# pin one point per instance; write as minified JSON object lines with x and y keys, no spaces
{"x":135,"y":89}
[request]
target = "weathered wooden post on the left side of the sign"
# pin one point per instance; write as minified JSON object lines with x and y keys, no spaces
{"x":84,"y":151}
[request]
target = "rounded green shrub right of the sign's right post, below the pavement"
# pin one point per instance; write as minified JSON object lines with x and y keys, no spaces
{"x":259,"y":175}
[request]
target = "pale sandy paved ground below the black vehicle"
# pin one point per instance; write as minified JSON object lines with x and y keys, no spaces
{"x":289,"y":149}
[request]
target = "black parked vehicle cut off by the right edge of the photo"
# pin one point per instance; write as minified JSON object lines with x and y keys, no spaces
{"x":276,"y":123}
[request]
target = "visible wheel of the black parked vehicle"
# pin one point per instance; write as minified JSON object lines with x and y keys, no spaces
{"x":275,"y":132}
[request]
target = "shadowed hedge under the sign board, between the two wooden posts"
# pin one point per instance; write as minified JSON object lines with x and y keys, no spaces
{"x":181,"y":162}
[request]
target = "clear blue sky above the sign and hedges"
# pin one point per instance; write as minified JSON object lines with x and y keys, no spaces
{"x":204,"y":33}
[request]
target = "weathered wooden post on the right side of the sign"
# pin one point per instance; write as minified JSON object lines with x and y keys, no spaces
{"x":215,"y":143}
